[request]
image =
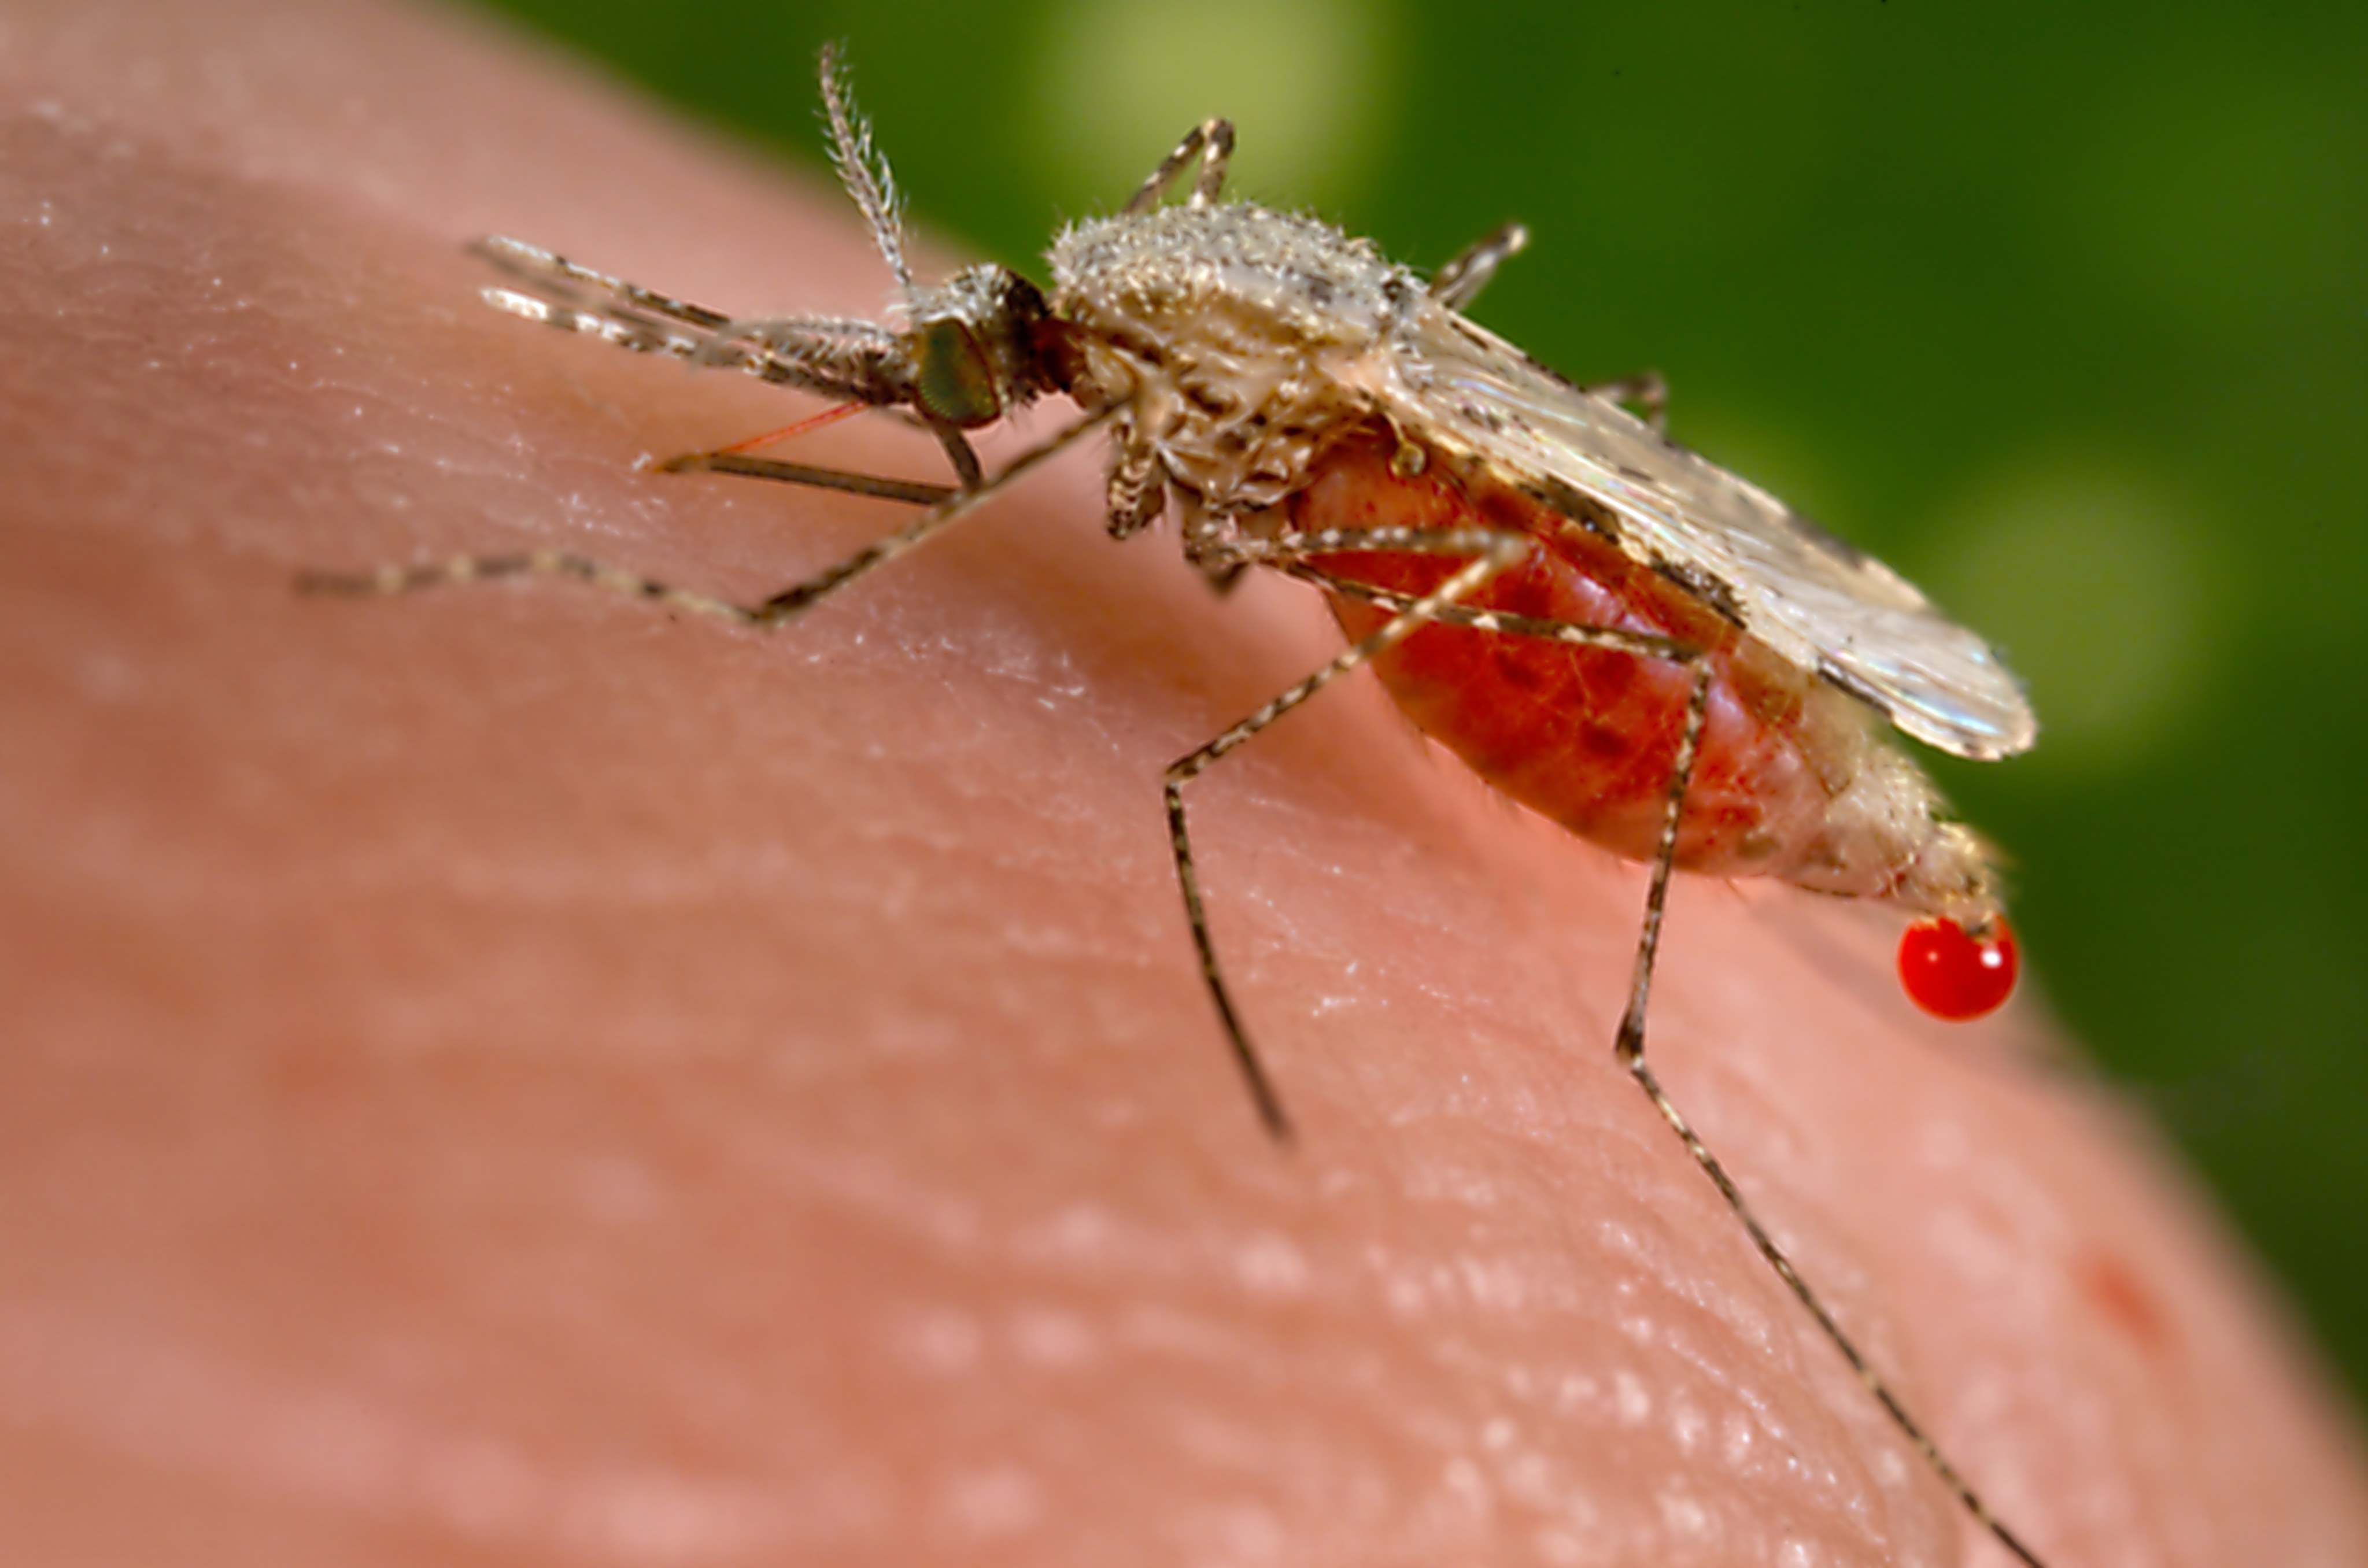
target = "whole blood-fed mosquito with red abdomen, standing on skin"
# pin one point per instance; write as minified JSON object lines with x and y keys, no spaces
{"x":1604,"y":626}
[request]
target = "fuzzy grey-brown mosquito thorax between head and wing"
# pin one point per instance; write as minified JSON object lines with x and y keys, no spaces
{"x":1228,"y":335}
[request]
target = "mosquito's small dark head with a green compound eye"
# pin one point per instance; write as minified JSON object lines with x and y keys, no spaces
{"x":974,"y":347}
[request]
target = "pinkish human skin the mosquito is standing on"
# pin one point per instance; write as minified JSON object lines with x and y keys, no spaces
{"x":515,"y":1077}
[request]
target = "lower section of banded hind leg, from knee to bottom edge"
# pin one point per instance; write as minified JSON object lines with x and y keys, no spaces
{"x":1630,"y":1050}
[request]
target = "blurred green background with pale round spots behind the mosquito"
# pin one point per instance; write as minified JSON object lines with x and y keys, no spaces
{"x":2059,"y":307}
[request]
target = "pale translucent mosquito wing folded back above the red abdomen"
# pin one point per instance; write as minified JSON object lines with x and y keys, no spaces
{"x":1784,"y":579}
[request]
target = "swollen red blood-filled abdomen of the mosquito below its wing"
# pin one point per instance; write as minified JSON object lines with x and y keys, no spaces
{"x":1585,"y":738}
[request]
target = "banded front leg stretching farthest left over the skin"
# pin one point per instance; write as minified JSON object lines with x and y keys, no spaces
{"x":764,"y":615}
